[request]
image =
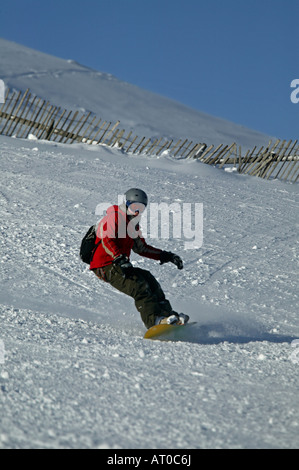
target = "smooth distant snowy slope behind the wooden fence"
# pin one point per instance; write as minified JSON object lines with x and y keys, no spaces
{"x":73,"y":86}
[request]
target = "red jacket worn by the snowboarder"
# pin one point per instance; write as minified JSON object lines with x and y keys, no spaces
{"x":114,"y":232}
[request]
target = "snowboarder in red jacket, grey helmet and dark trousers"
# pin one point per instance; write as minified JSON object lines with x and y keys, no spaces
{"x":119,"y":233}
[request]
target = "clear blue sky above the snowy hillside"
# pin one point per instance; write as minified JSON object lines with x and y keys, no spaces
{"x":233,"y":59}
